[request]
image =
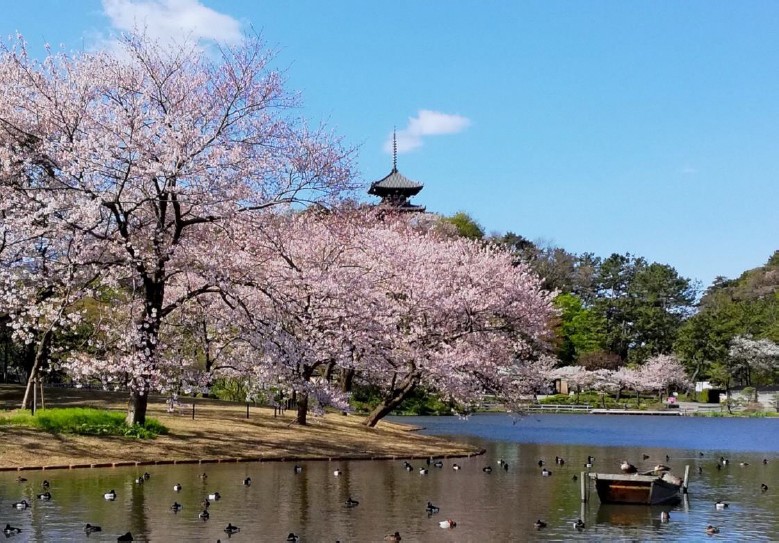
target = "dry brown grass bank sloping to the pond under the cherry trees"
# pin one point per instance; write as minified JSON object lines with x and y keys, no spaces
{"x":220,"y":430}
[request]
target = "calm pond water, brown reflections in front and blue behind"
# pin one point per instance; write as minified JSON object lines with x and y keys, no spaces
{"x":501,"y":506}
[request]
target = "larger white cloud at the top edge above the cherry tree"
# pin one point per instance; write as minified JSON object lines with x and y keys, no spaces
{"x":173,"y":19}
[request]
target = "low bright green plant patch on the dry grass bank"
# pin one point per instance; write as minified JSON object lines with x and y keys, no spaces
{"x":84,"y":421}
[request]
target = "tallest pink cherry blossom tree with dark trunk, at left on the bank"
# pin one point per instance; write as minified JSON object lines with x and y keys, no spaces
{"x":160,"y":155}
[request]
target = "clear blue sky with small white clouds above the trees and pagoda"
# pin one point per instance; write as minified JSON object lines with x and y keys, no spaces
{"x":596,"y":126}
